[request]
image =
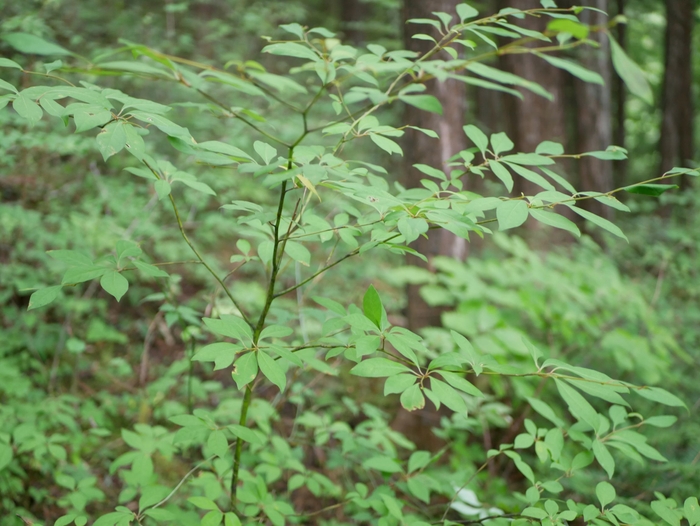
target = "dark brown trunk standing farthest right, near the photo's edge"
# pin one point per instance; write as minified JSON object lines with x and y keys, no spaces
{"x":676,"y":144}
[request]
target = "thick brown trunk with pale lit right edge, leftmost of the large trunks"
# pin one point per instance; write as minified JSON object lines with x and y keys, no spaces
{"x":419,"y":148}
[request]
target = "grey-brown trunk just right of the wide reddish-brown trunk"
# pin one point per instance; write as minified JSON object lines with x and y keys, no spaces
{"x":594,"y":111}
